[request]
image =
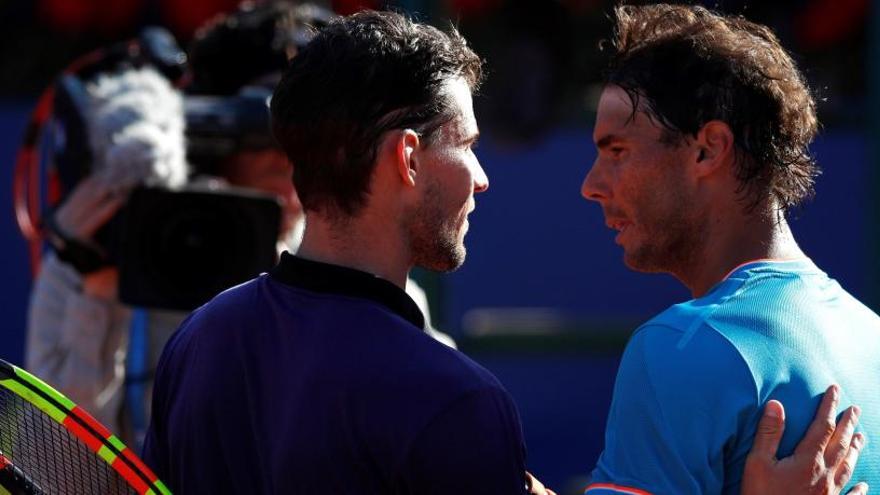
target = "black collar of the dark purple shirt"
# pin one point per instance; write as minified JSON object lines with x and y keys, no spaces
{"x":335,"y":279}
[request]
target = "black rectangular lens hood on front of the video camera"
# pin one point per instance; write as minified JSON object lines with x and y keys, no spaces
{"x":177,"y":249}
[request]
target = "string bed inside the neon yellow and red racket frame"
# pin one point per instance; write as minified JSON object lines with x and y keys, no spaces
{"x":53,"y":459}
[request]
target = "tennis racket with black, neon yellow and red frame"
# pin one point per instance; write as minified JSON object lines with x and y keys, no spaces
{"x":48,"y":445}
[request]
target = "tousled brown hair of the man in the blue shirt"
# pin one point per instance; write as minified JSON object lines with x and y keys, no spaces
{"x":690,"y":65}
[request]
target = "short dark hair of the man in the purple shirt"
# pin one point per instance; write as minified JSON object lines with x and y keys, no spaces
{"x":361,"y":76}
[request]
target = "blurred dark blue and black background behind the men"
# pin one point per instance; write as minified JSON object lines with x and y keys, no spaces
{"x":544,"y":300}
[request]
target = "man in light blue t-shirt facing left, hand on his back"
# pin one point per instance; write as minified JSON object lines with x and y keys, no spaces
{"x":702,"y":134}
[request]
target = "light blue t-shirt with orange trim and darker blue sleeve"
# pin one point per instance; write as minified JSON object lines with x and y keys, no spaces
{"x":693,"y":381}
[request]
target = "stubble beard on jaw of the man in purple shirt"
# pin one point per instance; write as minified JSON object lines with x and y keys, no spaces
{"x":435,"y":234}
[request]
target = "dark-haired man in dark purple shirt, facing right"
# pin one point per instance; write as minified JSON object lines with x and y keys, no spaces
{"x":318,"y":377}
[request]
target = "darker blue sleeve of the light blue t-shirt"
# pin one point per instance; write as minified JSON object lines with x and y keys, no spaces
{"x":679,"y":402}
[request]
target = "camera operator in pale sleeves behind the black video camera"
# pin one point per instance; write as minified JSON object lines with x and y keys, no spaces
{"x":80,"y":335}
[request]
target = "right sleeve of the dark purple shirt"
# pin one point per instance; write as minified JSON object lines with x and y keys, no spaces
{"x":474,"y":446}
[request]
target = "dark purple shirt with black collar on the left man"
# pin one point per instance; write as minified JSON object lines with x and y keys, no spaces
{"x":318,"y":379}
